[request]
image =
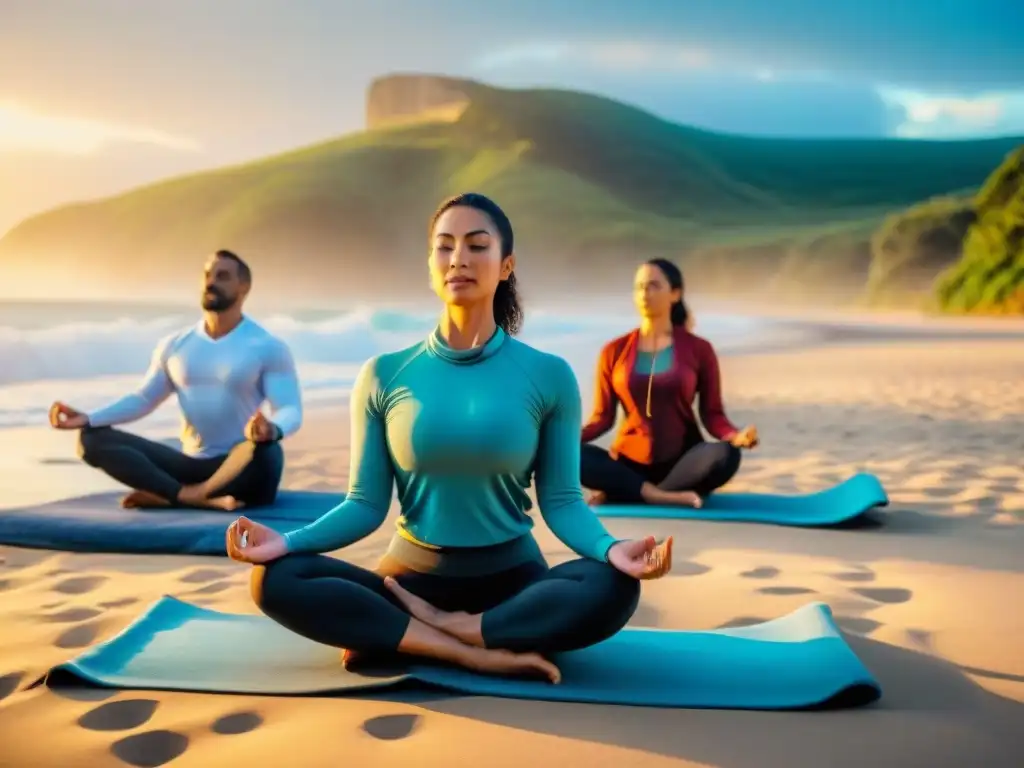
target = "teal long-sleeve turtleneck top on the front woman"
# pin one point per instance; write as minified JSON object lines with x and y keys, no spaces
{"x":461,"y":434}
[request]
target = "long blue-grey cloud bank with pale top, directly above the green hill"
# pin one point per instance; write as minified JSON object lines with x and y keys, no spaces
{"x":708,"y":88}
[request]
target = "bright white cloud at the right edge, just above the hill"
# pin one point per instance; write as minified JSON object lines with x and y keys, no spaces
{"x":941,"y":116}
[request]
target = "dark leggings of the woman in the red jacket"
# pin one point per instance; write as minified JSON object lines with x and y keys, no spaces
{"x":704,"y":468}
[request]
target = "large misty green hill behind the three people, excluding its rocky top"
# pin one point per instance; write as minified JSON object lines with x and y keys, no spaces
{"x":592,"y":186}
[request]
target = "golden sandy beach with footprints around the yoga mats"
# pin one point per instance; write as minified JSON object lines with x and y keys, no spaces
{"x":930,"y":602}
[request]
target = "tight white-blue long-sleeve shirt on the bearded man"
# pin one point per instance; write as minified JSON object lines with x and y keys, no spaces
{"x":220,"y":383}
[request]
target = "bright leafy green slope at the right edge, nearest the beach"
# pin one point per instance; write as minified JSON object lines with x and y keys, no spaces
{"x":990,"y":278}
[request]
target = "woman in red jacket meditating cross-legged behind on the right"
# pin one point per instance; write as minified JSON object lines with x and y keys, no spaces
{"x":655,"y":373}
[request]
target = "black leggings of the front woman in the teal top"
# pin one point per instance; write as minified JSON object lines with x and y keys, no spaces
{"x":526,"y":609}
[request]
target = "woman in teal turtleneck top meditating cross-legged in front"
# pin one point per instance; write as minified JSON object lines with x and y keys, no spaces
{"x":460,"y":423}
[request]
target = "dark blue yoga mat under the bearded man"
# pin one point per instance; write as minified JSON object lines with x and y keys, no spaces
{"x":98,"y":524}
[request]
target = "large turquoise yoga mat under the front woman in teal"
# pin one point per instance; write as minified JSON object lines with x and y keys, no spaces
{"x":800,"y":661}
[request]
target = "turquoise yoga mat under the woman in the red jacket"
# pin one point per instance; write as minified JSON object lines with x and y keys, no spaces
{"x":840,"y":504}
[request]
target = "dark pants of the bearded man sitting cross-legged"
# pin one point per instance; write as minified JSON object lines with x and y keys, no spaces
{"x":251,"y":473}
